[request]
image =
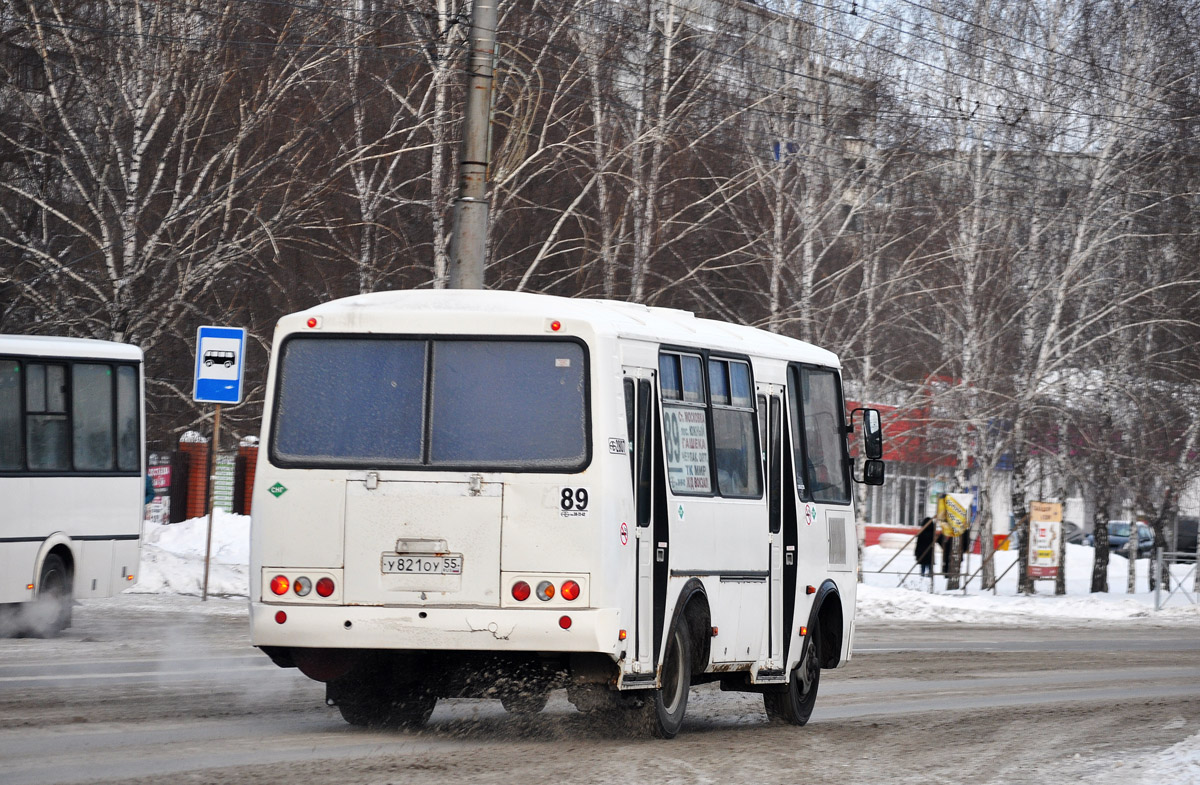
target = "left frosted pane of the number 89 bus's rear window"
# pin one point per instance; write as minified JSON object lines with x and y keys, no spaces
{"x":350,"y":402}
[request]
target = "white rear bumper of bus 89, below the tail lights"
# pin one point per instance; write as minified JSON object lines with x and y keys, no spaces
{"x":436,"y":628}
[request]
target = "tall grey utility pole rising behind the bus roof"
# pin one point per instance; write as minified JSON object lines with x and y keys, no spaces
{"x":469,"y":244}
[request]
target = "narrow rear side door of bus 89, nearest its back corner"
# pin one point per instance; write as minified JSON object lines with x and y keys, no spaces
{"x":640,"y":422}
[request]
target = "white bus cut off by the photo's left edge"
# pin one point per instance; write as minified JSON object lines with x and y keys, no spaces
{"x":71,"y":476}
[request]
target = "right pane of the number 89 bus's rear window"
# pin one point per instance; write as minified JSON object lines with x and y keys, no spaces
{"x":509,"y":404}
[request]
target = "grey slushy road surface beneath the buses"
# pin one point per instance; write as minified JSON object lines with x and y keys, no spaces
{"x":167,"y":691}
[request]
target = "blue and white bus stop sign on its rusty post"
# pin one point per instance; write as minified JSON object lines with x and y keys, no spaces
{"x":220,"y":359}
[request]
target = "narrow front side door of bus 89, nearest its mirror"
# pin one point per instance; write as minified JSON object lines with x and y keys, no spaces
{"x":771,"y":427}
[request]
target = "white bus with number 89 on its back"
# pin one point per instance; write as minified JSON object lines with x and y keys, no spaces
{"x":495,"y":494}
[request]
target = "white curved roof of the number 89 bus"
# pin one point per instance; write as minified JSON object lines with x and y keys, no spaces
{"x":387,"y":311}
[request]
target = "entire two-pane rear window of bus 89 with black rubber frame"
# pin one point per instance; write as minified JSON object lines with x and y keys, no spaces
{"x":383,"y":403}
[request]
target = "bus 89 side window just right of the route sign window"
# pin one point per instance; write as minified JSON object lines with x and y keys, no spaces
{"x":739,"y":460}
